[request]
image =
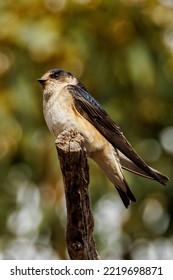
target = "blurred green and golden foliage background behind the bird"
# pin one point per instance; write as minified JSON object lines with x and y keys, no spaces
{"x":123,"y":52}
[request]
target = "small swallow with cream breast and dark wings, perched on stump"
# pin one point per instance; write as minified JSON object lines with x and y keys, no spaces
{"x":68,"y":104}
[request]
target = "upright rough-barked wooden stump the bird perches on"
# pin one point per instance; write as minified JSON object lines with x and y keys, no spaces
{"x":80,"y":223}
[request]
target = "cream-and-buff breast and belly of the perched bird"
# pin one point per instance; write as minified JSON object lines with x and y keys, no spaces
{"x":60,"y":114}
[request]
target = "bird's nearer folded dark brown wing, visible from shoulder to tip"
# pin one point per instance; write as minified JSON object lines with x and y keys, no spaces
{"x":91,"y":110}
